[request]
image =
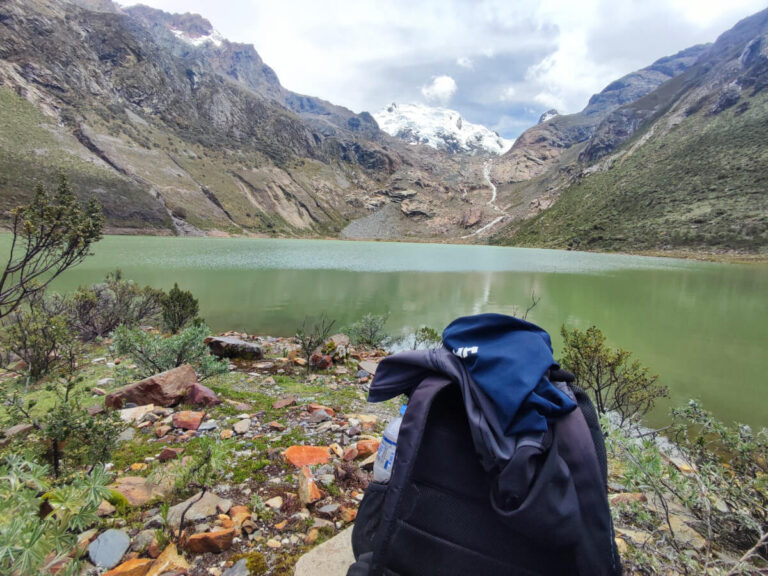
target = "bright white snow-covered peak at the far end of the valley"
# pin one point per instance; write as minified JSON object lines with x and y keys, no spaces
{"x":439,"y":128}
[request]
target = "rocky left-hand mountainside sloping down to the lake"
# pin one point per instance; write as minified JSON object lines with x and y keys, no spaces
{"x":176,"y":130}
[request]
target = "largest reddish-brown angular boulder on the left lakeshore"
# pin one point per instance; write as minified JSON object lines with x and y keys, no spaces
{"x":164,"y":389}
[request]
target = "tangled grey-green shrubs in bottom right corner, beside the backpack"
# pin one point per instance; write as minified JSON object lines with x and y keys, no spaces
{"x":714,"y":480}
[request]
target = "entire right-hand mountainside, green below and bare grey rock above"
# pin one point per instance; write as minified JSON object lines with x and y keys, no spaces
{"x":682,"y":167}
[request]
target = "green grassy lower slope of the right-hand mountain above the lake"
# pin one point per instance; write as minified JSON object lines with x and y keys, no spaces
{"x":702,"y":185}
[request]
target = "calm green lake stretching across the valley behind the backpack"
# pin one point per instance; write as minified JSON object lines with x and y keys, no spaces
{"x":702,"y":327}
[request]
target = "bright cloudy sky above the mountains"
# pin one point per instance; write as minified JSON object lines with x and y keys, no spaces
{"x":499,"y":62}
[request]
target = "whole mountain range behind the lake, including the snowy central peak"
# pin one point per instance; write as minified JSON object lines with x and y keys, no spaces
{"x":176,"y":130}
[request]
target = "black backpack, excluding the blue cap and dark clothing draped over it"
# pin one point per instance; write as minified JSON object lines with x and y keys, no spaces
{"x":435,"y":516}
